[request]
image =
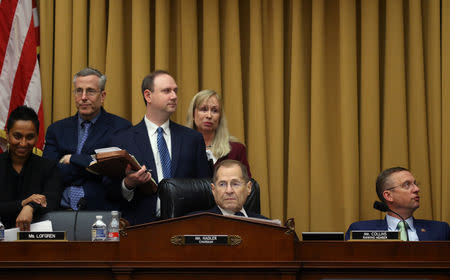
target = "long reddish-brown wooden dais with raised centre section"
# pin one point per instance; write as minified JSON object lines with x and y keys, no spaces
{"x":266,"y":252}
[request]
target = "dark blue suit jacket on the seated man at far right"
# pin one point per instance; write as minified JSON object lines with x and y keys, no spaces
{"x":426,"y":230}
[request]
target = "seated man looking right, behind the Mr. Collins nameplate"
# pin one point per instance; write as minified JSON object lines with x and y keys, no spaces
{"x":397,"y":188}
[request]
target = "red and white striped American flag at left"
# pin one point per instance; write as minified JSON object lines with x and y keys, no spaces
{"x":20,"y":79}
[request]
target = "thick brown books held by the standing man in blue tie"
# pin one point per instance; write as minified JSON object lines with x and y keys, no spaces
{"x":113,"y":162}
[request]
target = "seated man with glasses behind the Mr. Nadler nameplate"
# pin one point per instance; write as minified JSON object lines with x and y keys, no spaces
{"x":231,"y":186}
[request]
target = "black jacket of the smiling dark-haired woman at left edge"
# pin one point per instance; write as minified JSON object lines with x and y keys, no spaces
{"x":40,"y":176}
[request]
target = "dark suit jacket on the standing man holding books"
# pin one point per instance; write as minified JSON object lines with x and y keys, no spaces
{"x":188,"y":161}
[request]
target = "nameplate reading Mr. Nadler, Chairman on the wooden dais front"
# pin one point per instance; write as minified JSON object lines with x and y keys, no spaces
{"x":230,"y":240}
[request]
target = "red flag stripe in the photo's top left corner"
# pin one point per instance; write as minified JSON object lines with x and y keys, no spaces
{"x":7,"y":11}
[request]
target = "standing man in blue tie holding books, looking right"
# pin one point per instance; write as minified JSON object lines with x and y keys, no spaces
{"x":163,"y":147}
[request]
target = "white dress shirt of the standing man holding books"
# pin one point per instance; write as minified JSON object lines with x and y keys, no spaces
{"x":153,"y":135}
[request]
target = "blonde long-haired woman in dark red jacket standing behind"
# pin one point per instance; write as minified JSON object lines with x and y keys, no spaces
{"x":205,"y":114}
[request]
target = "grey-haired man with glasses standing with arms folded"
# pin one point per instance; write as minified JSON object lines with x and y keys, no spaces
{"x":72,"y":141}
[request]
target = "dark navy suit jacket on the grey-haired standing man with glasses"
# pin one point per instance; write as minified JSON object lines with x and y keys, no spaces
{"x":62,"y":139}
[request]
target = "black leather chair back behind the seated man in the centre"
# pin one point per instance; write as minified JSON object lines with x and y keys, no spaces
{"x":181,"y":196}
